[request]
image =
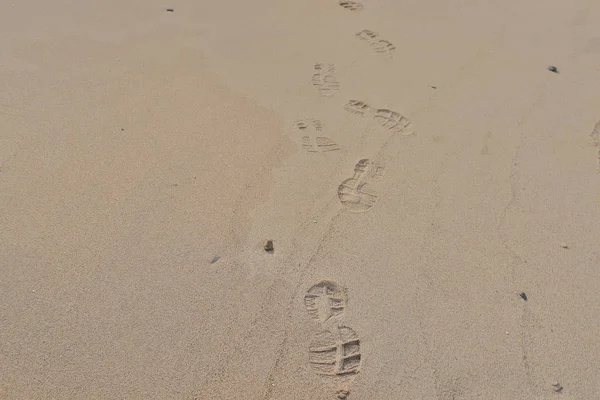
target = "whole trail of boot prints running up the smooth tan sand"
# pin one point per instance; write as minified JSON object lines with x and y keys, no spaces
{"x":334,"y":349}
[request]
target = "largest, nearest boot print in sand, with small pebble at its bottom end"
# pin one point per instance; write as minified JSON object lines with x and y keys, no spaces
{"x":334,"y":350}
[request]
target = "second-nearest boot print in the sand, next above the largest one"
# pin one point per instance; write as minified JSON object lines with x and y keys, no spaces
{"x":361,"y":192}
